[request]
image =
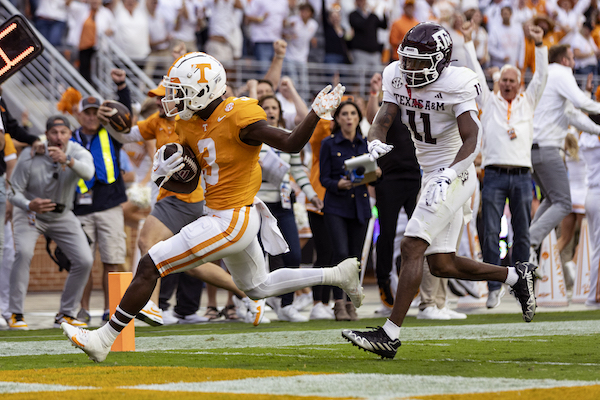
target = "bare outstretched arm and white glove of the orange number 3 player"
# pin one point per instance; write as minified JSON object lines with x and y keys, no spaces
{"x":292,"y":142}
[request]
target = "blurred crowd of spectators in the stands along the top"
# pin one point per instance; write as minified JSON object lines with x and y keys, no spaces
{"x":360,"y":32}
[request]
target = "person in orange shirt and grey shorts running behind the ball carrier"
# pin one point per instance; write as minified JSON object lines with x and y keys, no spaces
{"x":172,"y":212}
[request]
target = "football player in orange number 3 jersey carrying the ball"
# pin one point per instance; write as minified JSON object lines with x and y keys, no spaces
{"x":226,"y":136}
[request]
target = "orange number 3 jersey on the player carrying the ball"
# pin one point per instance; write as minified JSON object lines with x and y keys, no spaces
{"x":230,"y":167}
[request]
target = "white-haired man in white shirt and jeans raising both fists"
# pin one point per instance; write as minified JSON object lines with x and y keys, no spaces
{"x":507,"y":119}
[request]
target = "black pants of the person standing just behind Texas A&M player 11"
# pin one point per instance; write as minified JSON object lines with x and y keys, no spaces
{"x":392,"y":195}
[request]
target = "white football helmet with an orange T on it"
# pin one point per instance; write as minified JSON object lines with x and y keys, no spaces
{"x":193,"y":81}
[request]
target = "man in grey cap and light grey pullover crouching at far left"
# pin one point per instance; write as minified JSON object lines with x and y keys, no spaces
{"x":43,"y":188}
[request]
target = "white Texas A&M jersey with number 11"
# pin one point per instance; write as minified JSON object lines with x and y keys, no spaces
{"x":430,"y":112}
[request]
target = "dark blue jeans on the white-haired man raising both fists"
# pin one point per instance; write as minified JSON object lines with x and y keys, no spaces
{"x":497,"y":187}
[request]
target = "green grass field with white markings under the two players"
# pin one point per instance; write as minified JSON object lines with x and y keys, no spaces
{"x":485,"y":353}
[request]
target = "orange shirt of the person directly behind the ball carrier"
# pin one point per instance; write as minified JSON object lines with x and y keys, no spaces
{"x":163,"y":130}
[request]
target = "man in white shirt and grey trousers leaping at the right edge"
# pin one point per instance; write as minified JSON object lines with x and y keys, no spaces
{"x":550,"y":123}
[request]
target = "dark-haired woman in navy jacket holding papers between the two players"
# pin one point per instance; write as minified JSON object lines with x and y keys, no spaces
{"x":346,"y":205}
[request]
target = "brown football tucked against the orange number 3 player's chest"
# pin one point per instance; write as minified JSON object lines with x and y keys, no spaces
{"x":185,"y":180}
